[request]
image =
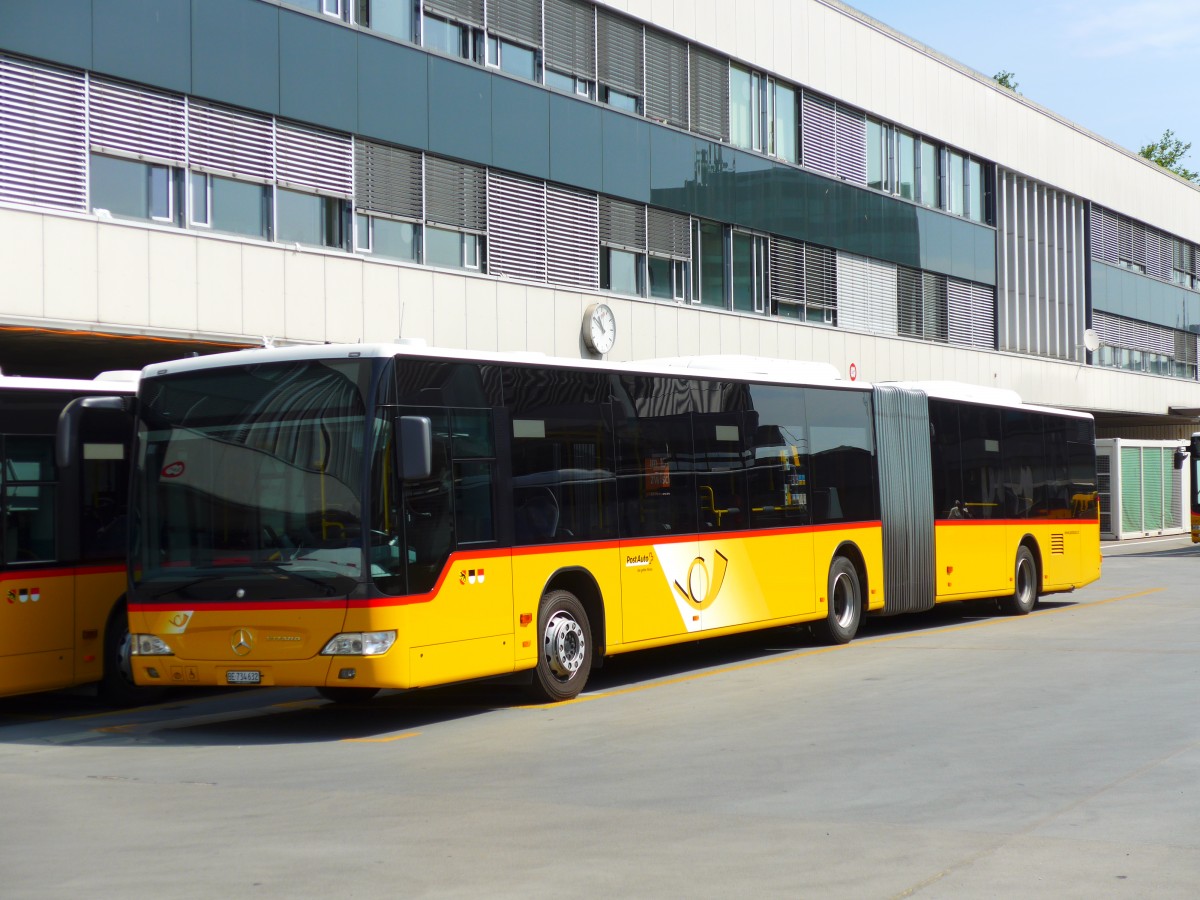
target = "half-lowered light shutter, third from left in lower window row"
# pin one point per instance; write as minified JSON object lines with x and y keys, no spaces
{"x":230,"y":142}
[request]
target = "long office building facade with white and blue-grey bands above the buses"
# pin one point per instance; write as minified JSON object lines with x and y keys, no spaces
{"x":773,"y":178}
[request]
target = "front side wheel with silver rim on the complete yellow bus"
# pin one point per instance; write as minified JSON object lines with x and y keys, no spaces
{"x":565,"y":649}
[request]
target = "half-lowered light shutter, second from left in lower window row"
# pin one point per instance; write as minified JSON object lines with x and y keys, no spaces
{"x":141,"y":123}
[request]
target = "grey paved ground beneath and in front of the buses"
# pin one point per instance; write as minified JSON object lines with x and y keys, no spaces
{"x":957,"y":754}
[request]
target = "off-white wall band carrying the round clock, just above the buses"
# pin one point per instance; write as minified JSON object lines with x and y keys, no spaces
{"x":71,"y":271}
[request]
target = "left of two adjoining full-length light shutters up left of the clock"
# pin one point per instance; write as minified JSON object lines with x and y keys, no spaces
{"x":517,"y":227}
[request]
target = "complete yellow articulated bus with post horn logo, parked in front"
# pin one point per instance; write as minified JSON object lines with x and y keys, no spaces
{"x":361,"y":518}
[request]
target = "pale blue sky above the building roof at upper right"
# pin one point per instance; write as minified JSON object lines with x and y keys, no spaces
{"x":1126,"y":70}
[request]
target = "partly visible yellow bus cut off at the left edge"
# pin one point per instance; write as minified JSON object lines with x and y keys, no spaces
{"x":63,"y":574}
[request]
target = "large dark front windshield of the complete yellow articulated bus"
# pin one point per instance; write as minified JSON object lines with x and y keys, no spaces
{"x":249,"y":483}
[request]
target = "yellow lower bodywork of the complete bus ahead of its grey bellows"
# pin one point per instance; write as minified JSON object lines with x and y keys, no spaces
{"x":482,"y":619}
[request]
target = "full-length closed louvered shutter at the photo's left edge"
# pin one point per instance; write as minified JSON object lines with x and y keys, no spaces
{"x":44,"y":146}
